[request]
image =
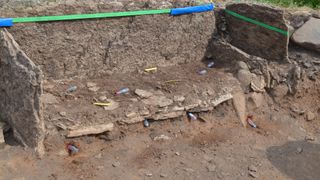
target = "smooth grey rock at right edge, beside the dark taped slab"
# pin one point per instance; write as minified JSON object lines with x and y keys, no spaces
{"x":308,"y":35}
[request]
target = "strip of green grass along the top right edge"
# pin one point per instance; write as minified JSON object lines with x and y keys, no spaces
{"x":295,"y":3}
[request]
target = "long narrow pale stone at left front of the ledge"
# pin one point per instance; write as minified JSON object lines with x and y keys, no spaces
{"x":96,"y":129}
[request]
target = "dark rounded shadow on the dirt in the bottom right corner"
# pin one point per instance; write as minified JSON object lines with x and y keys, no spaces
{"x":298,"y":159}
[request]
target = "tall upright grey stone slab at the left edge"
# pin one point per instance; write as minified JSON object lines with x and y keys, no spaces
{"x":20,"y":92}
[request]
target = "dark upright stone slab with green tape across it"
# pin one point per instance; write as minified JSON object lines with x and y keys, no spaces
{"x":254,"y":39}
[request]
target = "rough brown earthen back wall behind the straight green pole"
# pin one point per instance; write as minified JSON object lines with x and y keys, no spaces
{"x":95,"y":47}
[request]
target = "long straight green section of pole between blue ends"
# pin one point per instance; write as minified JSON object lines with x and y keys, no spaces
{"x":89,"y":16}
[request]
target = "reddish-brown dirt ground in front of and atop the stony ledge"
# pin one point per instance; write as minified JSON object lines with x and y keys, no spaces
{"x":284,"y":146}
